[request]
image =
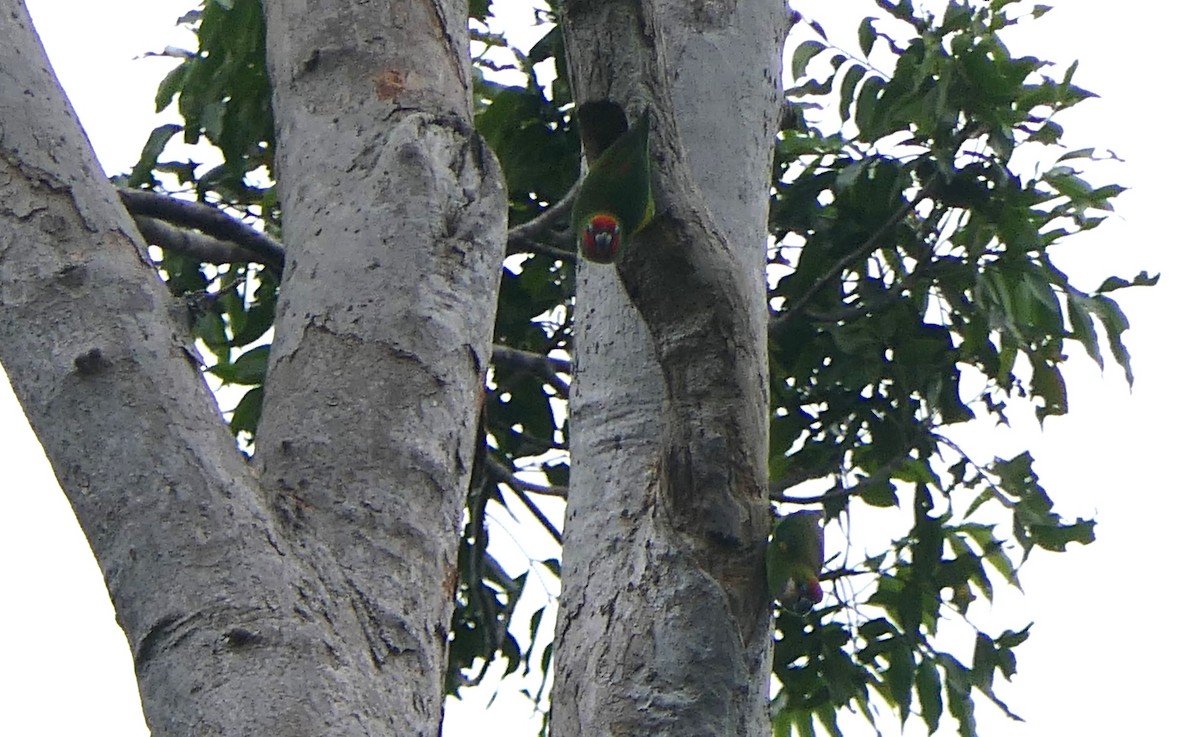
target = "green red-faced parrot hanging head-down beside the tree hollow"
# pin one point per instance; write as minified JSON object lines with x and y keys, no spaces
{"x":615,"y":200}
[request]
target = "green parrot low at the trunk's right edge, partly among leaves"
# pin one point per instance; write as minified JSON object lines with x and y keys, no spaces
{"x":795,"y":558}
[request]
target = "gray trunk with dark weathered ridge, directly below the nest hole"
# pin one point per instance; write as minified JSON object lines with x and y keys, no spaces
{"x":665,"y":624}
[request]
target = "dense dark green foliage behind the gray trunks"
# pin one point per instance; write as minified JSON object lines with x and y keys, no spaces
{"x":913,"y":290}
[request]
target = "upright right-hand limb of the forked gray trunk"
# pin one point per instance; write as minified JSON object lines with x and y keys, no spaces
{"x":394,"y":223}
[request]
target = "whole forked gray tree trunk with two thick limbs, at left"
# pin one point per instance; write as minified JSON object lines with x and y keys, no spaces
{"x":310,"y":596}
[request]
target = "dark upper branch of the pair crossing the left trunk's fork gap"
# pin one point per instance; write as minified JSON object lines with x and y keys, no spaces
{"x":206,"y":219}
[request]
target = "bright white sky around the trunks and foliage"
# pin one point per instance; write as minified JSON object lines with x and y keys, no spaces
{"x":1113,"y":648}
